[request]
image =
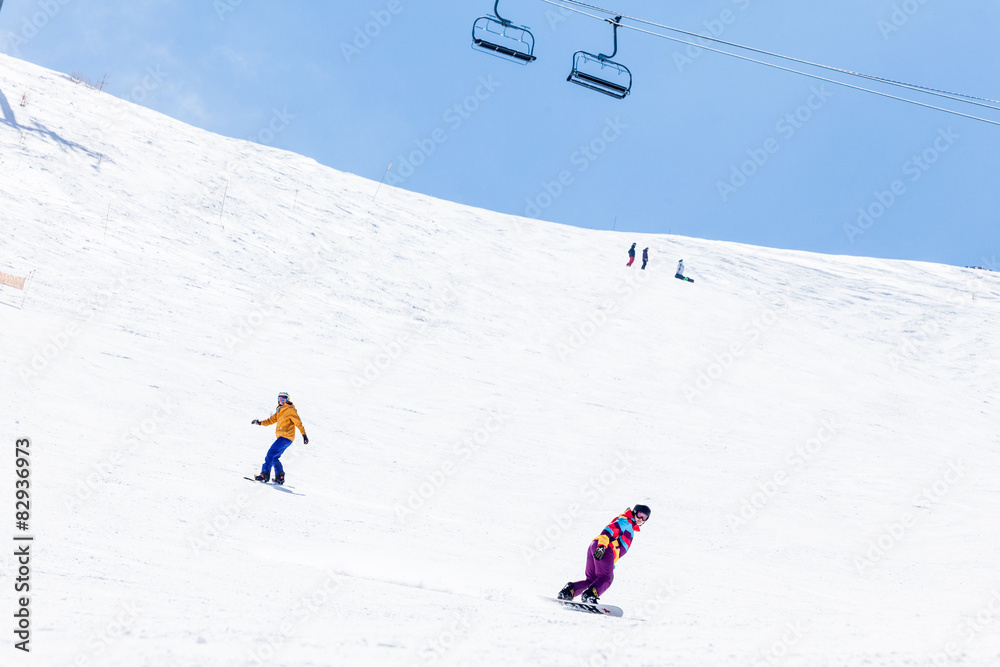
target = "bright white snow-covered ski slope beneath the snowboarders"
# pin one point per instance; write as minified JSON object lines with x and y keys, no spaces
{"x":816,"y":435}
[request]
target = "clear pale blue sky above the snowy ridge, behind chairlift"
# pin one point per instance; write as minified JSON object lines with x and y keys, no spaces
{"x":705,"y":145}
